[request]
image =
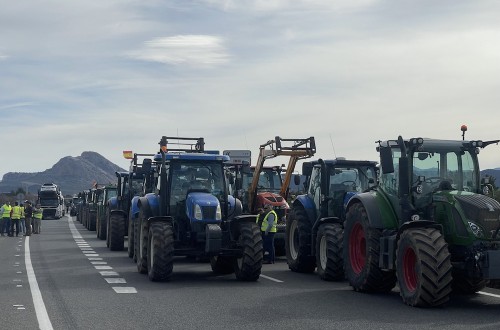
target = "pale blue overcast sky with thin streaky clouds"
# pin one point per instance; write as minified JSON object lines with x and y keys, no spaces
{"x":114,"y":75}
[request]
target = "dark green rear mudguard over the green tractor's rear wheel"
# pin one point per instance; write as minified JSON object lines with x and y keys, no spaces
{"x":378,"y":209}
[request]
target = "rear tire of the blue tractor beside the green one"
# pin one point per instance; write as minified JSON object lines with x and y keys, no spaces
{"x":298,"y":242}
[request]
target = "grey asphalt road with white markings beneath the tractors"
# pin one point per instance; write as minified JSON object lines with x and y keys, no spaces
{"x":66,"y":278}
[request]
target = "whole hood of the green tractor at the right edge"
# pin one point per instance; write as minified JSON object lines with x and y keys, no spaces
{"x":481,"y":213}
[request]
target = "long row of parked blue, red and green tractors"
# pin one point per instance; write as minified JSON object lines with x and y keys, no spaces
{"x":421,"y":218}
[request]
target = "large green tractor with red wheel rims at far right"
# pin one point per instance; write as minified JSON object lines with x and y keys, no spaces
{"x":427,"y":226}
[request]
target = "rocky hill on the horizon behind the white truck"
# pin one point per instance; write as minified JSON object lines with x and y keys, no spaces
{"x":71,"y":174}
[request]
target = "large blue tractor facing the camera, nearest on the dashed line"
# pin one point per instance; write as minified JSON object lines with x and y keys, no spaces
{"x":192,"y":214}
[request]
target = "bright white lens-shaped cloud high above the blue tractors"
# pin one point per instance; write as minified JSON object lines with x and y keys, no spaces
{"x":192,"y":50}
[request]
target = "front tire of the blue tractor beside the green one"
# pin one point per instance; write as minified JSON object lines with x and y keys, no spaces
{"x":329,"y":255}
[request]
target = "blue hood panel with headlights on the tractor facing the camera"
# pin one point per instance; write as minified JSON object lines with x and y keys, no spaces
{"x":205,"y":203}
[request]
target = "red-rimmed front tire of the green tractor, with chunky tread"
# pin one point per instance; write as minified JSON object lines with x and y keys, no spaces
{"x":423,"y":267}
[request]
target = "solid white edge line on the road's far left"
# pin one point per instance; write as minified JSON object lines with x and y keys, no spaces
{"x":41,"y":312}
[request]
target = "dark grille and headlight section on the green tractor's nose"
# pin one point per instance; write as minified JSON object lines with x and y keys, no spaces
{"x":482,"y":210}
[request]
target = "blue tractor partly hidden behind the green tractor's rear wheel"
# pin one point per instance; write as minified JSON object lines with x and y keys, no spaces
{"x":314,"y":230}
